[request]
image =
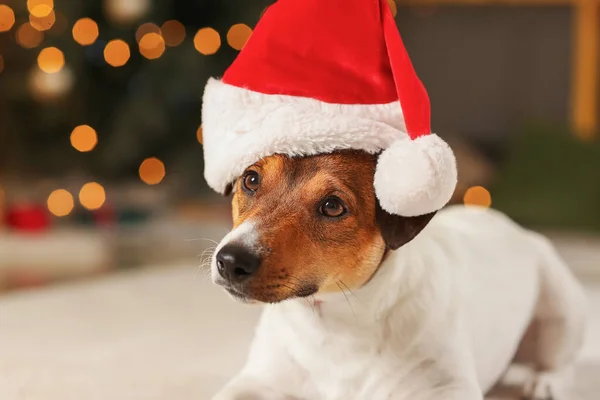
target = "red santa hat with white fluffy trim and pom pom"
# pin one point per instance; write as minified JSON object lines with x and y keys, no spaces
{"x":318,"y":76}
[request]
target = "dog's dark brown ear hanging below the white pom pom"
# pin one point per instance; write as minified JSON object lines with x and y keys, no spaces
{"x":396,"y":230}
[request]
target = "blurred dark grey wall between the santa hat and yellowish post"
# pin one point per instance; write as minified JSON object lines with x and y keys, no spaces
{"x":488,"y":70}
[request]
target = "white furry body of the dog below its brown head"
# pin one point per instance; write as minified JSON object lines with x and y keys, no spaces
{"x":441,"y":318}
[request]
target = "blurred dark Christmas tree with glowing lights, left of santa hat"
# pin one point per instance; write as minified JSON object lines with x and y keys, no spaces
{"x":140,"y":100}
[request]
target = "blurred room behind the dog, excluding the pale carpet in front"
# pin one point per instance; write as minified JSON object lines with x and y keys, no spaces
{"x":101,"y":131}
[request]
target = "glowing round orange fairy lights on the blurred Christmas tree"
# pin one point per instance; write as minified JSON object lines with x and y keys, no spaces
{"x":53,"y":74}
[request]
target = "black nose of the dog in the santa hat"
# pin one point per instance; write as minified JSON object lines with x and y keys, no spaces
{"x":236,"y":263}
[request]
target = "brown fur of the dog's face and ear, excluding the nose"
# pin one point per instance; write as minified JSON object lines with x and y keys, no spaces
{"x":301,"y":250}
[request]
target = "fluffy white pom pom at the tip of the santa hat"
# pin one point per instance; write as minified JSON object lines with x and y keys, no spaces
{"x":415,"y":177}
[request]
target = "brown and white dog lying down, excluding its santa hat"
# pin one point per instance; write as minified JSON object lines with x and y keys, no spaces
{"x":361,"y":304}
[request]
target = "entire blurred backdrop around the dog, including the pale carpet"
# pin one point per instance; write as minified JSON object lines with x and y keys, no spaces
{"x":105,"y":216}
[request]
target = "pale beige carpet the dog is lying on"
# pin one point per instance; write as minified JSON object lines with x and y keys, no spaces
{"x":158,"y":334}
